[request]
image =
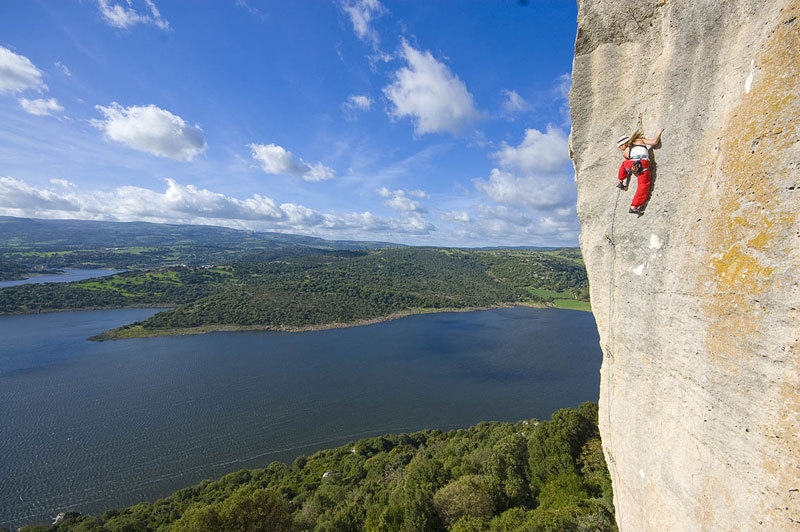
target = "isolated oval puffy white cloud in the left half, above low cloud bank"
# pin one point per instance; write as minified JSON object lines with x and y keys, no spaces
{"x":152,"y":130}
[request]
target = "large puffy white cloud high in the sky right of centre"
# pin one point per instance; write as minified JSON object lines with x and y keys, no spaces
{"x":430,"y":94}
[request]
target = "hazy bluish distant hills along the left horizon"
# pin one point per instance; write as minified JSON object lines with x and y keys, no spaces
{"x":28,"y":246}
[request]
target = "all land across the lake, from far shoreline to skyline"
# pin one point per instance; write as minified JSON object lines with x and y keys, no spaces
{"x":211,"y":279}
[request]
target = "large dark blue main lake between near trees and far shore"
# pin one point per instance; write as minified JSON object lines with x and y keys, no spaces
{"x":88,"y":426}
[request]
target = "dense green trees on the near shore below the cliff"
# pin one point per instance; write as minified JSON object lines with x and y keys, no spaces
{"x":531,"y":476}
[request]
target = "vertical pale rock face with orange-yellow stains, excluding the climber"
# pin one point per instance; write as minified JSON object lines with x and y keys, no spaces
{"x":698,"y":301}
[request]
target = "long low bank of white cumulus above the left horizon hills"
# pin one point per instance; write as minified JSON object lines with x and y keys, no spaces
{"x":191,"y":204}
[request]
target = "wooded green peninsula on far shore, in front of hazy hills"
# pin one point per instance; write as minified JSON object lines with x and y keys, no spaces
{"x":290,"y":289}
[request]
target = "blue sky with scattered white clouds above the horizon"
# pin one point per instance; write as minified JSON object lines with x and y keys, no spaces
{"x":419,"y":122}
